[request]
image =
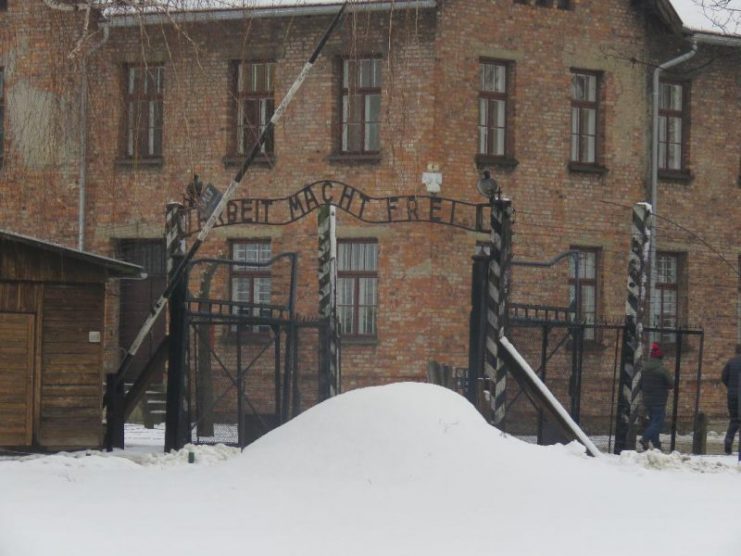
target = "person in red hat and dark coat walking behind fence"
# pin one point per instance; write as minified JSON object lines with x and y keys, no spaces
{"x":655,"y":385}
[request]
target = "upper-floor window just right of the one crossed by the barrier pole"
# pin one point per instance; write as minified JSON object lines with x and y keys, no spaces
{"x":361,"y":106}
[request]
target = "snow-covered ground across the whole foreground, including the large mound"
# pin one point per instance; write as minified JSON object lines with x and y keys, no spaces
{"x":404,"y":469}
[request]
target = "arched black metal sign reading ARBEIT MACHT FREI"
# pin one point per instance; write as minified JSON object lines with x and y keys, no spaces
{"x":280,"y":211}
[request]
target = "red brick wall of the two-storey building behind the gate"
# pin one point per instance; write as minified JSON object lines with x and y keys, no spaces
{"x":429,"y":106}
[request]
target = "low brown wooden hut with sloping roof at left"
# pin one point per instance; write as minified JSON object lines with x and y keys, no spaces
{"x":52,"y":308}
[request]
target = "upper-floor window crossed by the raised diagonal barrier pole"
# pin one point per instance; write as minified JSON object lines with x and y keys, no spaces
{"x":254,"y":95}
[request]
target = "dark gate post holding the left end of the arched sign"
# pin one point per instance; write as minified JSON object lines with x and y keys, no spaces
{"x":175,"y":251}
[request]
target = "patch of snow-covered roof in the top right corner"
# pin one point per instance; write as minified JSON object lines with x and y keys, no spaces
{"x":710,"y":16}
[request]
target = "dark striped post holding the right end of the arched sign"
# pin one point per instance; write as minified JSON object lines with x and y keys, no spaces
{"x":496,"y":303}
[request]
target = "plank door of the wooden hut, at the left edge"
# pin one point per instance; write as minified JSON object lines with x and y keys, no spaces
{"x":17,"y":341}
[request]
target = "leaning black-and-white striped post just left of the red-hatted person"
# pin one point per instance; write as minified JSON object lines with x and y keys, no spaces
{"x":629,"y":394}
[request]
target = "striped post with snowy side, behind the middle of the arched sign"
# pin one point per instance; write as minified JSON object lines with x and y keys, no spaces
{"x":327,"y":224}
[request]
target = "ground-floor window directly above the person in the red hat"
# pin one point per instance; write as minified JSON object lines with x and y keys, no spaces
{"x":665,"y":298}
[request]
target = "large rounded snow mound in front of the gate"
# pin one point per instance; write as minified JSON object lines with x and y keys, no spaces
{"x":395,"y":433}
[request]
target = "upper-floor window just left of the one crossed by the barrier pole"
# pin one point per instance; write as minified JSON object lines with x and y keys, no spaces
{"x":144,"y":111}
